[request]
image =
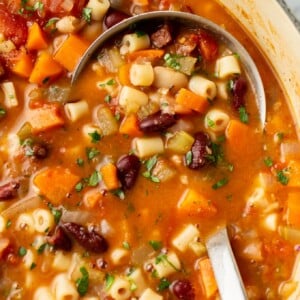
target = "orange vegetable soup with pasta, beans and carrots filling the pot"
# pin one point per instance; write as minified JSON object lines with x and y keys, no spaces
{"x":110,"y":187}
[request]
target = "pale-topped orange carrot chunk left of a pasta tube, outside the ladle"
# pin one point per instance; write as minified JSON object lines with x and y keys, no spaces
{"x":45,"y":118}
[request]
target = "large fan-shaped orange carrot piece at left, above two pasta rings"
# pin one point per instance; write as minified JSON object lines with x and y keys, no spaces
{"x":55,"y":183}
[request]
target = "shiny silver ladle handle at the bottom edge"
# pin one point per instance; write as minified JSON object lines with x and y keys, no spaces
{"x":225,"y":269}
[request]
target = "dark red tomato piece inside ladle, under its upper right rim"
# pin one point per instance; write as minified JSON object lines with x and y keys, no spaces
{"x":208,"y":46}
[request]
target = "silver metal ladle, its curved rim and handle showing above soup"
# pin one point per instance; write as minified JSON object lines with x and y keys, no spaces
{"x":224,"y":265}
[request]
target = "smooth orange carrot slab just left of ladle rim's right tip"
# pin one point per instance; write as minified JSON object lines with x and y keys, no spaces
{"x":237,"y":137}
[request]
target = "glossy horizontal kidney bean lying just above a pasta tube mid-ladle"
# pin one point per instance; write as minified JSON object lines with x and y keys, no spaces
{"x":157,"y":122}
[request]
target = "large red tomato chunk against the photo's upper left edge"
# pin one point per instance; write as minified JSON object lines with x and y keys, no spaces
{"x":13,"y":26}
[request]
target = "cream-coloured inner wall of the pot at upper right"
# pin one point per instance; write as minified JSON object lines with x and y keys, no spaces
{"x":279,"y":42}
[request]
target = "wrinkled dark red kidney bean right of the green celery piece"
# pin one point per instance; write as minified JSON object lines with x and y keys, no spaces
{"x":200,"y":151}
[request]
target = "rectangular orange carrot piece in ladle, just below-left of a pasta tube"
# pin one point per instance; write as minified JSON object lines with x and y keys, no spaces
{"x":190,"y":100}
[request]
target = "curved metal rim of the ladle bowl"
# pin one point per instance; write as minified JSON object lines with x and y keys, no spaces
{"x":188,"y":20}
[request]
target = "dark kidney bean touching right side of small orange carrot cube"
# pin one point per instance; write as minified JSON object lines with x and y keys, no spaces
{"x":128,"y":167}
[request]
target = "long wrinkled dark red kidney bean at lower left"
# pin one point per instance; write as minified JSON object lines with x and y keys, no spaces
{"x":90,"y":240}
